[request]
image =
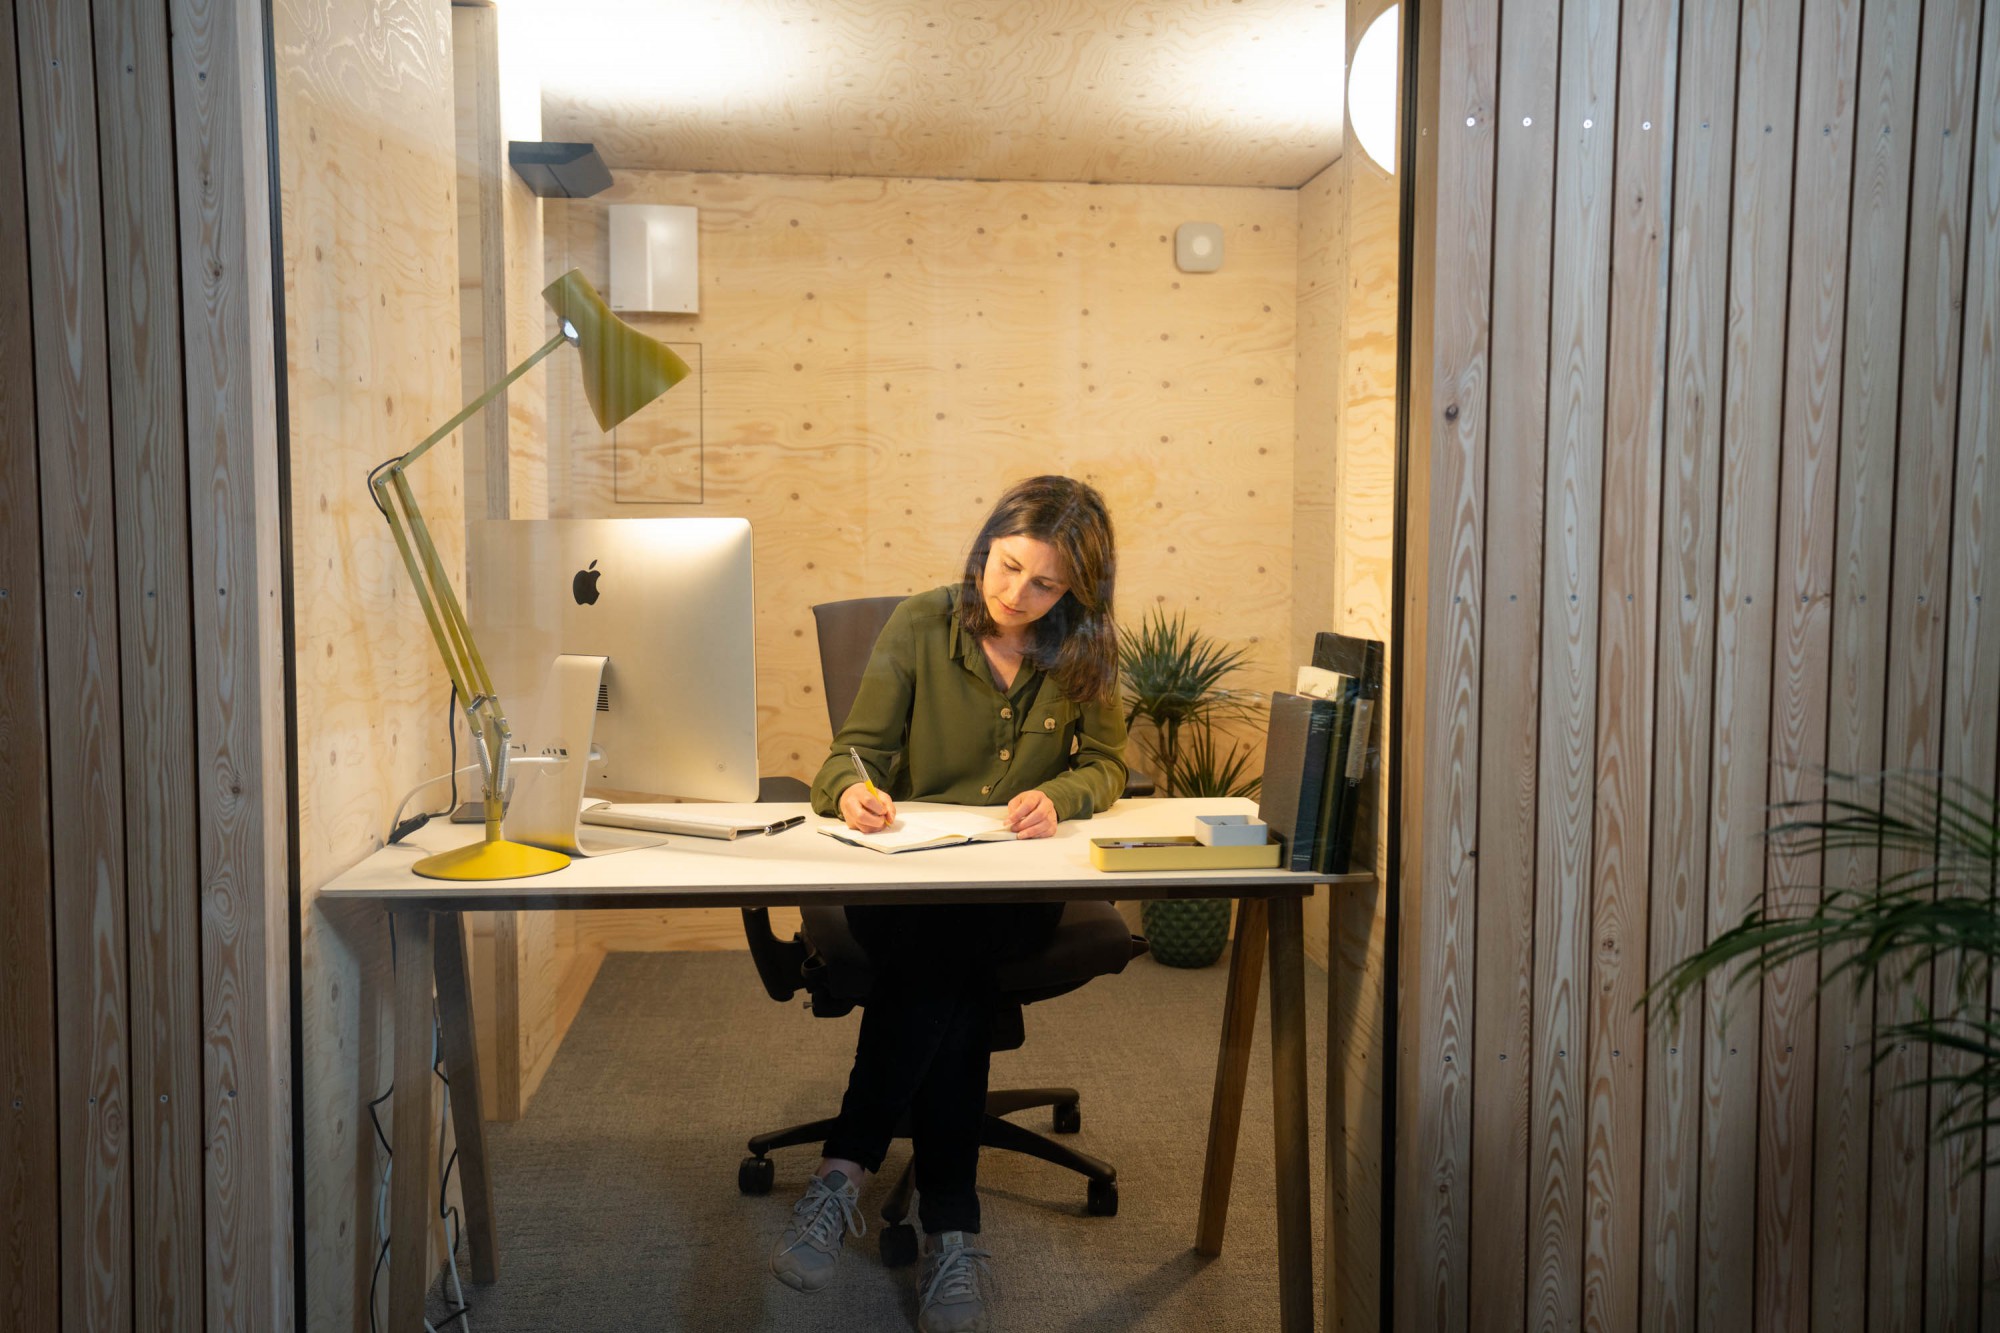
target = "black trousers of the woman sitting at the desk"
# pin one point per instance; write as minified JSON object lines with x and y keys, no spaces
{"x":925,"y":1038}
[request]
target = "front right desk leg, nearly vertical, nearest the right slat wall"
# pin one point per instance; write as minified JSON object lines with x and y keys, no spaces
{"x":1289,"y":1112}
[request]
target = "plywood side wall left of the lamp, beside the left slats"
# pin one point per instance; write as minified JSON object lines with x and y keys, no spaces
{"x":371,"y":293}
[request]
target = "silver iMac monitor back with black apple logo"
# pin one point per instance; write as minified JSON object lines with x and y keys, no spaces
{"x":669,"y":603}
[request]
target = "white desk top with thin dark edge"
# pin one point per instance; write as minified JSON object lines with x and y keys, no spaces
{"x":801,"y":866}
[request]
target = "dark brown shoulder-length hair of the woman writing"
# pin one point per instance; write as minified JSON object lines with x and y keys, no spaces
{"x":1077,"y":641}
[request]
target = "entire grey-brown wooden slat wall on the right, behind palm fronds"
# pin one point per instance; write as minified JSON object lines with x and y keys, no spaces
{"x":1759,"y":551}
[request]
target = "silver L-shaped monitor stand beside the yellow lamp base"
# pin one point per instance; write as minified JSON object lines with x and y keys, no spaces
{"x":549,"y":796}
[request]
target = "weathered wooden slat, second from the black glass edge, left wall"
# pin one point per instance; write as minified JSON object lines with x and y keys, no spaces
{"x":149,"y":461}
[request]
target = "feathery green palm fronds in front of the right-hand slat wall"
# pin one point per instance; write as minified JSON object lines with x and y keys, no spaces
{"x":1937,"y":900}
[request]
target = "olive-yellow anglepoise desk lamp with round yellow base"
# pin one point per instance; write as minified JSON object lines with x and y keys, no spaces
{"x":623,"y":373}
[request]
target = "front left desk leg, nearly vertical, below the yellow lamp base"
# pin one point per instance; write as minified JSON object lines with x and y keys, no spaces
{"x":409,"y":1192}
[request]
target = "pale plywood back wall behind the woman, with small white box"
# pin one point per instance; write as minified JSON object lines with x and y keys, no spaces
{"x":883,"y":357}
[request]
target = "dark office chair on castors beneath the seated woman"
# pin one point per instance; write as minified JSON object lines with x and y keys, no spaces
{"x":829,"y":964}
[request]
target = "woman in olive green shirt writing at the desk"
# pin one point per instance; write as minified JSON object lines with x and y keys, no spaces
{"x":997,"y":692}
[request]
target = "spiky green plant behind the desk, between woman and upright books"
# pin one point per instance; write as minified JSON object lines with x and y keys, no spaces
{"x":1173,"y":680}
